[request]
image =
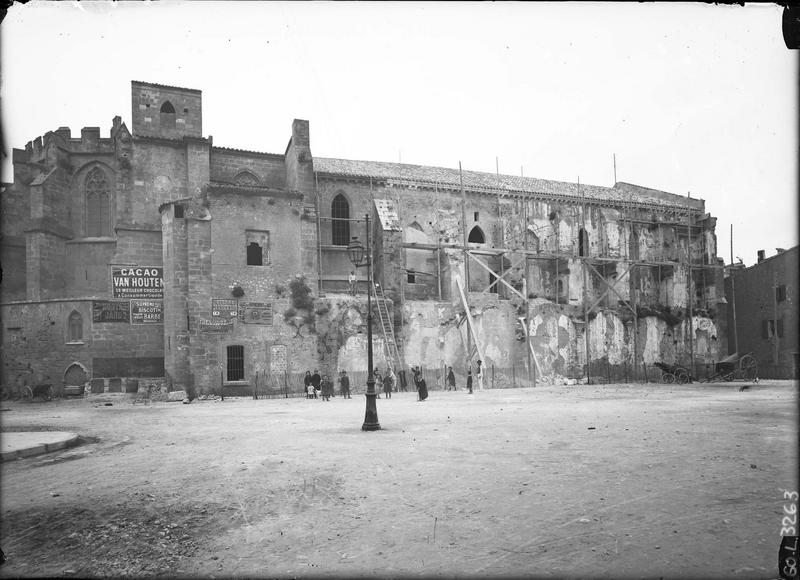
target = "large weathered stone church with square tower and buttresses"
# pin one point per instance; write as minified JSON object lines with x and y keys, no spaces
{"x":154,"y":254}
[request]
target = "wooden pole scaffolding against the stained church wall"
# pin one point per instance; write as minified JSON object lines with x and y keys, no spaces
{"x":596,"y":267}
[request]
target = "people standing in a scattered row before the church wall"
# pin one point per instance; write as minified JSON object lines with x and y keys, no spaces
{"x":317,"y":385}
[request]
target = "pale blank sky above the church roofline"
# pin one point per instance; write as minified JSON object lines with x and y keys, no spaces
{"x":691,"y":98}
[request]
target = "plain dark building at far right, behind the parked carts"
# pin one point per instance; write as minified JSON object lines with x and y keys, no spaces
{"x":762,"y":308}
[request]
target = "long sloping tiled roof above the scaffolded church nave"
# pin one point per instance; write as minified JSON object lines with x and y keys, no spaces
{"x":489,"y":182}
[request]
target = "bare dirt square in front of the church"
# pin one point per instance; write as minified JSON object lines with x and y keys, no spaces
{"x":610,"y":481}
